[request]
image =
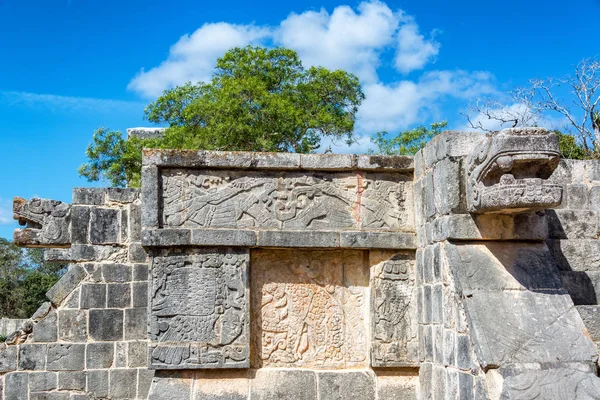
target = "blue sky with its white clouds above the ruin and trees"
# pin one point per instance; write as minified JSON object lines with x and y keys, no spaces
{"x":70,"y":66}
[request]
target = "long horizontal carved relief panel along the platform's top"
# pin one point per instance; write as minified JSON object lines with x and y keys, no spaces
{"x":197,"y":198}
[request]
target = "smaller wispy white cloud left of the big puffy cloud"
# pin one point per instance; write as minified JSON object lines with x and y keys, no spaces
{"x":194,"y":56}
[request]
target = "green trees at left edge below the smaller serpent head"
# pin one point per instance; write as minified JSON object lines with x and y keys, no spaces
{"x":24,"y":279}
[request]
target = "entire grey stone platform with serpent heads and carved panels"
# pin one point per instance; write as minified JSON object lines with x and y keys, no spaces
{"x":468,"y":272}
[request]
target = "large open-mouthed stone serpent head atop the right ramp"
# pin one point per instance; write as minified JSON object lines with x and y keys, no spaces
{"x":508,"y":171}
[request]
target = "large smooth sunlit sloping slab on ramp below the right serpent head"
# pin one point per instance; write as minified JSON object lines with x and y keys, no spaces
{"x":502,"y":331}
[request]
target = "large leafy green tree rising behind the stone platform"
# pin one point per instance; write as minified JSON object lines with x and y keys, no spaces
{"x":257,"y":100}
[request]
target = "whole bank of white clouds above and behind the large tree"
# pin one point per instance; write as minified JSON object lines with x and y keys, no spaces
{"x":360,"y":40}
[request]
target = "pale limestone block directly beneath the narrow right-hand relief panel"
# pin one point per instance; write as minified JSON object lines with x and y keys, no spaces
{"x":397,"y":385}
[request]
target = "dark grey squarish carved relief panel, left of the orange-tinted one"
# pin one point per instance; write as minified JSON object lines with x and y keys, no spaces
{"x":199,"y":309}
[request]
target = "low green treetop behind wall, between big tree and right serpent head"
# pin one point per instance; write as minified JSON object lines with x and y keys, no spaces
{"x":407,"y":142}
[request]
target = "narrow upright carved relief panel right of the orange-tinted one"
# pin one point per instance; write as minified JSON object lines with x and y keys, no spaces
{"x":393,"y":309}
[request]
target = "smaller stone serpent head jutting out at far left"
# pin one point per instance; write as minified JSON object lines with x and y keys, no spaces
{"x":47,"y":222}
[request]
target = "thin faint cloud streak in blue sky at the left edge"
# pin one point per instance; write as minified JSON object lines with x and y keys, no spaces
{"x":71,"y":103}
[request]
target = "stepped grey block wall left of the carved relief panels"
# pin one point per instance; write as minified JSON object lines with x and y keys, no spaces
{"x":90,"y":339}
